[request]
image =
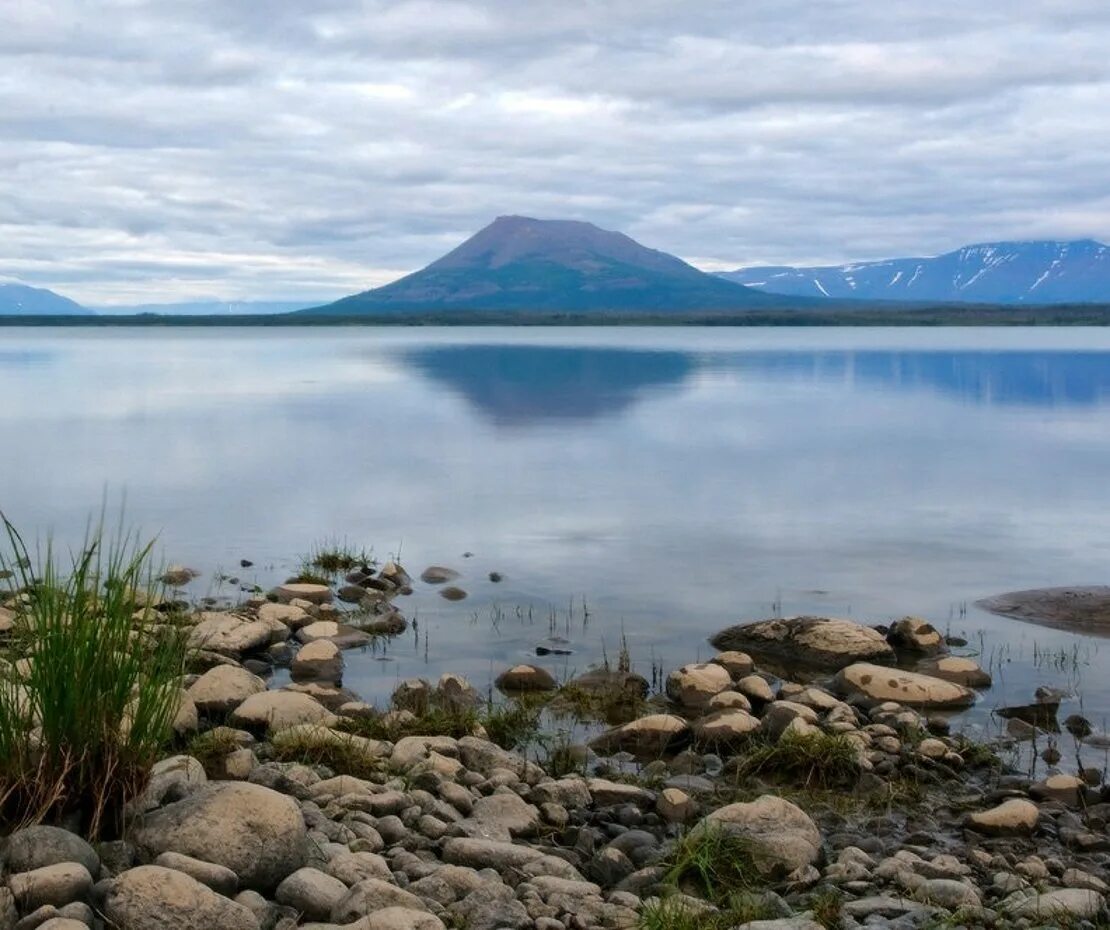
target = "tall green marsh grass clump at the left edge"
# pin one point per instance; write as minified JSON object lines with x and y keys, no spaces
{"x":92,"y":701}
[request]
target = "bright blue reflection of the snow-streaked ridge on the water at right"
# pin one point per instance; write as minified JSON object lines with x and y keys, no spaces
{"x":1018,"y":378}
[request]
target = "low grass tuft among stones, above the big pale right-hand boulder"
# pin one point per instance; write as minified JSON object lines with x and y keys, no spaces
{"x":812,"y":761}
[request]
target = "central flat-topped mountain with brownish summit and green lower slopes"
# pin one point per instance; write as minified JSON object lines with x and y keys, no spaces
{"x":518,"y":264}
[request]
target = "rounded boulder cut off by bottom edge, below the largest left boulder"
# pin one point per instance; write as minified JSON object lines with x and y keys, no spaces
{"x":155,"y":898}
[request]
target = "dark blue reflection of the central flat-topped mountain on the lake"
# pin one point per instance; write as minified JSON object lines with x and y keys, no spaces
{"x":524,"y":385}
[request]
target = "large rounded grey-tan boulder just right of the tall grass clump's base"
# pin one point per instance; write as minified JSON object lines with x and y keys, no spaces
{"x":257,"y":833}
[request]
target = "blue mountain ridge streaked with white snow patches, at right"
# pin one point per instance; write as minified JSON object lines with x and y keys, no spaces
{"x":997,"y":272}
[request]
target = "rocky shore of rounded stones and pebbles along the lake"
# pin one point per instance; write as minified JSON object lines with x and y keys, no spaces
{"x":739,"y":797}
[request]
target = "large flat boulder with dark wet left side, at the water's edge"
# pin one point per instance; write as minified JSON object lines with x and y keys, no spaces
{"x":823,"y":643}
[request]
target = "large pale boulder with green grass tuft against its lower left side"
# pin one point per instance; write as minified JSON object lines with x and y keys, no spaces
{"x":782,"y":835}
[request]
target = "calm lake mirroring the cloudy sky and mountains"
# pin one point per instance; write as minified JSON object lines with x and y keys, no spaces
{"x":652,"y":486}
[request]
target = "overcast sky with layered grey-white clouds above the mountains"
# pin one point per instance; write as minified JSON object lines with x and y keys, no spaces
{"x":156,"y":151}
